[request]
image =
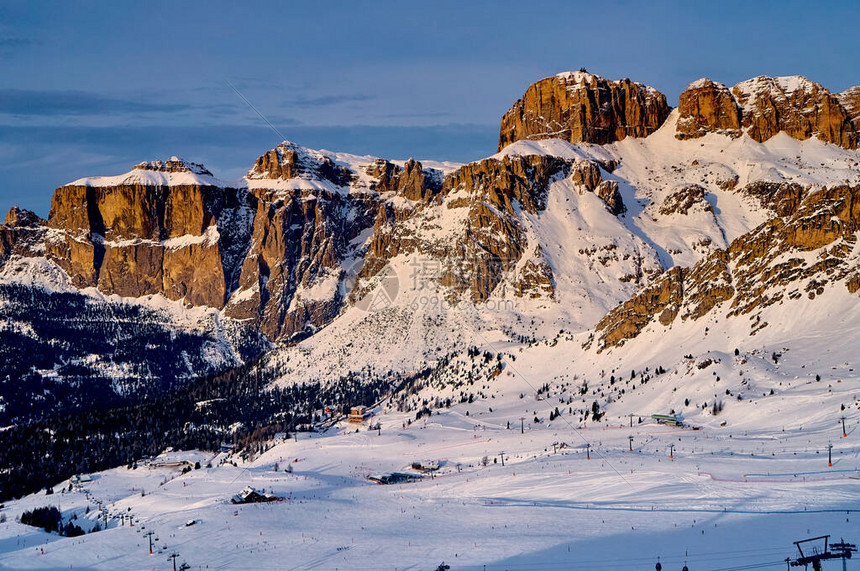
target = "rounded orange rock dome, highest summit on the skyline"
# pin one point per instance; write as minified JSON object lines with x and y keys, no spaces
{"x":581,"y":107}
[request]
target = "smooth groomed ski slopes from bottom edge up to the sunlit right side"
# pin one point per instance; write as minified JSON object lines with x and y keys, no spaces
{"x":723,"y":492}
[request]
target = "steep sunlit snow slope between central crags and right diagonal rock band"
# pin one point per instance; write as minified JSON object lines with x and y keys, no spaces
{"x":683,"y":199}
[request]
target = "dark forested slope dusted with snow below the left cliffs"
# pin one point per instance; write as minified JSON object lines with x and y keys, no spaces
{"x":67,"y":349}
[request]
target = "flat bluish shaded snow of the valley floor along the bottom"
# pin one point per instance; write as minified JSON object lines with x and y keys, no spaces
{"x":728,"y":499}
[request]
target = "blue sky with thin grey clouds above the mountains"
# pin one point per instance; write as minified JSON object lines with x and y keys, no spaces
{"x":93,"y":87}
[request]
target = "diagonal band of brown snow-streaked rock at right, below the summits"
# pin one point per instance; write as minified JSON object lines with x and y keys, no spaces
{"x":756,"y":270}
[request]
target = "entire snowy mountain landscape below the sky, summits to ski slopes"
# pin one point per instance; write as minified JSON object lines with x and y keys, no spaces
{"x":511,"y":325}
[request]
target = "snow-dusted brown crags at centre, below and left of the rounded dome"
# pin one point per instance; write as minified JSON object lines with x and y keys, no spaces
{"x":493,"y":245}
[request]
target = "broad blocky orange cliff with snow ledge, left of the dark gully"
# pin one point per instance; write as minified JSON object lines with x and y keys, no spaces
{"x":144,"y":237}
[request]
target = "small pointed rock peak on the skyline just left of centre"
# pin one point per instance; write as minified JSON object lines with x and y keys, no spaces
{"x":289,"y":160}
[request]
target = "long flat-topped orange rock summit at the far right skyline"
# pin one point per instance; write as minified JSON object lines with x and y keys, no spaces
{"x":764,"y":106}
